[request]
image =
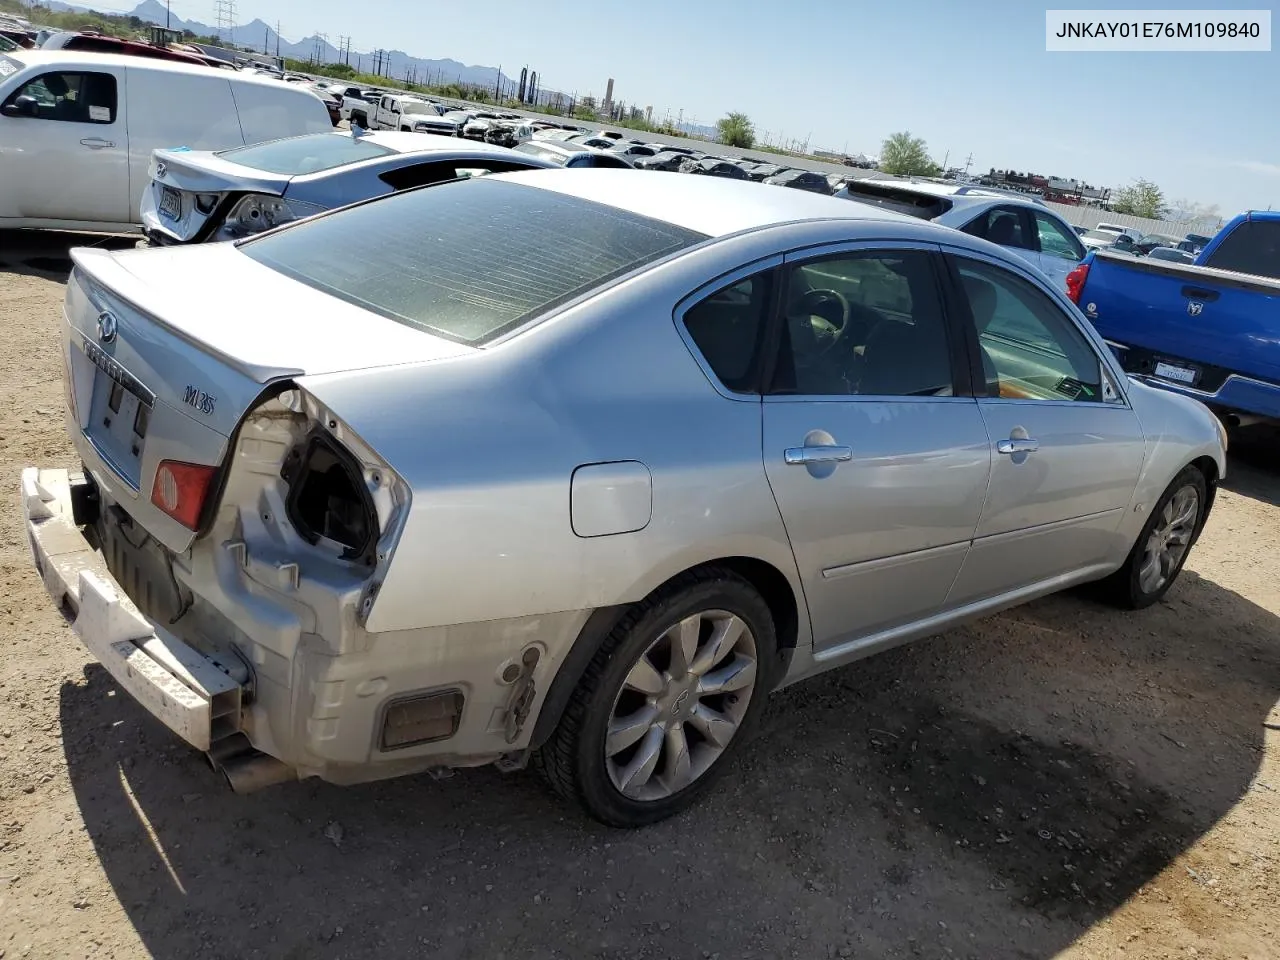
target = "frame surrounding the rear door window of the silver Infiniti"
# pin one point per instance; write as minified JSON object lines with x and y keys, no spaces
{"x":962,"y":378}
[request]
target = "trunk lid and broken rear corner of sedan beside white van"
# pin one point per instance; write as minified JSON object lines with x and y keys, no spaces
{"x":190,"y":191}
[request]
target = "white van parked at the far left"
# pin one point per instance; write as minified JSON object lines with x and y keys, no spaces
{"x":77,"y":130}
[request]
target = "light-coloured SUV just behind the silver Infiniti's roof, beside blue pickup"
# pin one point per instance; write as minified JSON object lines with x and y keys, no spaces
{"x":1017,"y":222}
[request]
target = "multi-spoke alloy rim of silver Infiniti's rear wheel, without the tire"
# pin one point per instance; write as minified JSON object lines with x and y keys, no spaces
{"x":680,"y":706}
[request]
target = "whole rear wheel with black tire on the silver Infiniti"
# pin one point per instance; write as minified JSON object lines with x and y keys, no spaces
{"x":666,"y":703}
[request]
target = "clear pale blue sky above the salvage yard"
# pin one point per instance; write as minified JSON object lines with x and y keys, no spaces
{"x":967,"y":77}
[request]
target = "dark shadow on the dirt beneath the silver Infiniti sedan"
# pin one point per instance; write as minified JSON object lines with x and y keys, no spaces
{"x":991,"y":793}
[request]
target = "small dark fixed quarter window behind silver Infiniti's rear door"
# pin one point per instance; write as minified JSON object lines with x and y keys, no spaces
{"x":728,"y":328}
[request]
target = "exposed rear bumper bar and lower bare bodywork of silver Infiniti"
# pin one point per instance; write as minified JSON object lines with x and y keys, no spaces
{"x":344,"y":707}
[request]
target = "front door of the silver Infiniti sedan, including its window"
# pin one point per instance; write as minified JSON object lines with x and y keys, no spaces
{"x":1067,"y":451}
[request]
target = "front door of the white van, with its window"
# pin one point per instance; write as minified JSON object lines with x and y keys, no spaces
{"x":75,"y":163}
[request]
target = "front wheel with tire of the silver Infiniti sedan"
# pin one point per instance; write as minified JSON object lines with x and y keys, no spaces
{"x":1162,"y":548}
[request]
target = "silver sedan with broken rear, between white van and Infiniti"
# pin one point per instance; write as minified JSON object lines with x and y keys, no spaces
{"x":196,"y":195}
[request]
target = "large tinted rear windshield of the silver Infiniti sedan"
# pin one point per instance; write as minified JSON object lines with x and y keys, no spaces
{"x":468,"y":260}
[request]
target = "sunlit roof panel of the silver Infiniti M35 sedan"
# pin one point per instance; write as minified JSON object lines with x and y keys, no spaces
{"x":711,"y":205}
